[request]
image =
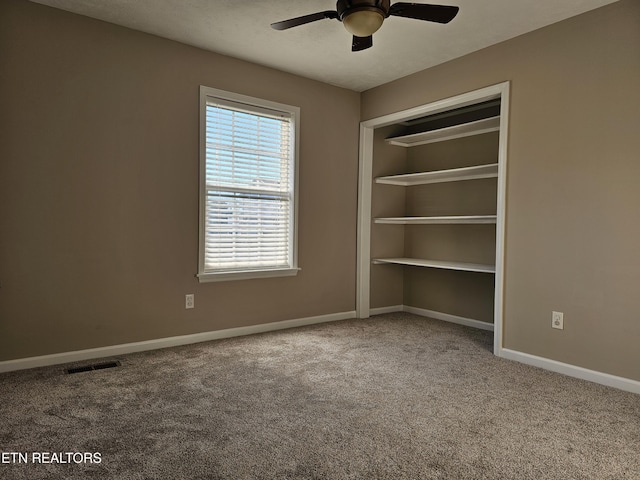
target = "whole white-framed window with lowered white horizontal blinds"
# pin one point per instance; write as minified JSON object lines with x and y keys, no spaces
{"x":248,"y":195}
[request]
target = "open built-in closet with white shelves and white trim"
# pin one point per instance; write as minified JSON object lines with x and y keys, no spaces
{"x":431,"y":211}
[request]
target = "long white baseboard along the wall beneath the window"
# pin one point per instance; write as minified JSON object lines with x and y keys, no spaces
{"x":110,"y":351}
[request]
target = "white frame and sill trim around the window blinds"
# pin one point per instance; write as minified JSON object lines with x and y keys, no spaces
{"x":257,"y":105}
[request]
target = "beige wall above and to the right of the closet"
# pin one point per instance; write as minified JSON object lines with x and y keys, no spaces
{"x":573,"y":215}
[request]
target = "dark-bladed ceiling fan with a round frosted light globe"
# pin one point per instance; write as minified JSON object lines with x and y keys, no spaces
{"x":362,"y":18}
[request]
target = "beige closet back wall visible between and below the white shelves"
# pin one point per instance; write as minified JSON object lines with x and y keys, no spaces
{"x":465,"y":294}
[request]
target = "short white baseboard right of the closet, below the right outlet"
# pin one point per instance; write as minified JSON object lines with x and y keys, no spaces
{"x":573,"y":371}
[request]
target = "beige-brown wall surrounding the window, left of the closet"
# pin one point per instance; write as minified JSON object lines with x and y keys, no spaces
{"x":99,"y":188}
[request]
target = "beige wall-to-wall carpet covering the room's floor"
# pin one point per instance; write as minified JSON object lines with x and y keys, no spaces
{"x":392,"y":397}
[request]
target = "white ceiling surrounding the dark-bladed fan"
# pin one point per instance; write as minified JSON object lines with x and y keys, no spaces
{"x":322,"y":50}
